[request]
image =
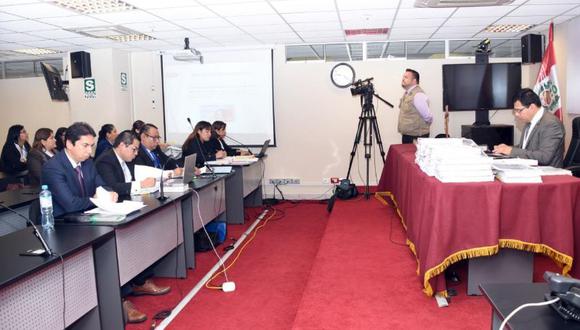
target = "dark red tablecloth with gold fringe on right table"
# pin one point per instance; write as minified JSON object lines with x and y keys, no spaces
{"x":449,"y":222}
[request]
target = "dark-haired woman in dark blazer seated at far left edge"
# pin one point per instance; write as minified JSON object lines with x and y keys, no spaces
{"x":15,"y":150}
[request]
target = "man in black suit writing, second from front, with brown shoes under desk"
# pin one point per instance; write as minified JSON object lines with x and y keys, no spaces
{"x":117,"y":171}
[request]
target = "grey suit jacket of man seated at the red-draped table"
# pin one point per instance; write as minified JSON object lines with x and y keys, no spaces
{"x":545,"y":143}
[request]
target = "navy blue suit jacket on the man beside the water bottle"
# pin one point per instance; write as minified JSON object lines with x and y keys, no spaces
{"x":61,"y":179}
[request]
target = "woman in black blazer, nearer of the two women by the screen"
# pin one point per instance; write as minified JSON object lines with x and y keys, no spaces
{"x":198,"y":142}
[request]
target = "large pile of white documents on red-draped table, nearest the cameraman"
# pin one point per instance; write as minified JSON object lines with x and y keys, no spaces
{"x":453,"y":160}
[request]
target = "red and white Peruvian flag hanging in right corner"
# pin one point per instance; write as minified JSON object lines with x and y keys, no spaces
{"x":547,"y":82}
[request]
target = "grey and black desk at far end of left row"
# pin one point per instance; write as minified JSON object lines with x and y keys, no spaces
{"x":243,"y":188}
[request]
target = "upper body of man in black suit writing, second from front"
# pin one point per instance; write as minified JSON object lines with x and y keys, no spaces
{"x":116,"y":168}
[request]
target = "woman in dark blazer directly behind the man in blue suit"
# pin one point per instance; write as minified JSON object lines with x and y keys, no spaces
{"x":43,"y":149}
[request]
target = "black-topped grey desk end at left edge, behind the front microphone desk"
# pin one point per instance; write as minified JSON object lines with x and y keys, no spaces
{"x":20,"y":201}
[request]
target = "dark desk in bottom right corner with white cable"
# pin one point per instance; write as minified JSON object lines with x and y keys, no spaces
{"x":504,"y":298}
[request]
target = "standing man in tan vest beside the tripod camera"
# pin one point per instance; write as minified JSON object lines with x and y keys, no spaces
{"x":415,"y":118}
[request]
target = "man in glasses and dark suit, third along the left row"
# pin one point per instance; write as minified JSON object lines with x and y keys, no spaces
{"x":150,"y":153}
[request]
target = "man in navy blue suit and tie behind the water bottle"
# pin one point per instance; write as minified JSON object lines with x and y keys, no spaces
{"x":71,"y":175}
